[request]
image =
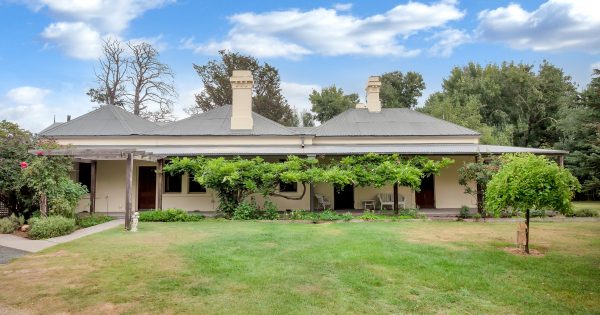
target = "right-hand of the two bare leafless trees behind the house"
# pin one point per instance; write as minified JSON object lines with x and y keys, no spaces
{"x":151,"y":82}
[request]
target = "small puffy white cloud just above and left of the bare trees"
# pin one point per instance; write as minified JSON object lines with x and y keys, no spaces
{"x":76,"y":39}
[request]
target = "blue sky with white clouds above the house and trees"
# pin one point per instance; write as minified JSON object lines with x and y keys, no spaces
{"x":49,"y":49}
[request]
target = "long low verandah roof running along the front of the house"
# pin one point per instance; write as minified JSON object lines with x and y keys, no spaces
{"x":408,"y":149}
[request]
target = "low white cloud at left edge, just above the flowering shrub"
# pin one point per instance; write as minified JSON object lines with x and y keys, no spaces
{"x":25,"y":106}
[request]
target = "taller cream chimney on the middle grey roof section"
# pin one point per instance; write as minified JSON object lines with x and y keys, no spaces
{"x":241,"y":99}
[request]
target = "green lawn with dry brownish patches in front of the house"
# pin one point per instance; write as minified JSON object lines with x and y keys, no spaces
{"x":226,"y":267}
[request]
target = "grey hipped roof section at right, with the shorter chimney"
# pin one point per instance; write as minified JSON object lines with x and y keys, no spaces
{"x":389,"y":122}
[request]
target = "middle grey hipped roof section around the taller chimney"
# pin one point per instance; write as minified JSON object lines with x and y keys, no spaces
{"x":217,"y":122}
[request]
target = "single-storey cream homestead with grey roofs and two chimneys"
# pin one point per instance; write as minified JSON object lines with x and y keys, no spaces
{"x":120,"y":156}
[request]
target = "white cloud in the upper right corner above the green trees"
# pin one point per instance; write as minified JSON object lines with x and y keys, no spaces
{"x":555,"y":25}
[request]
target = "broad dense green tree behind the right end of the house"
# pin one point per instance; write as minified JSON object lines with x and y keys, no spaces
{"x":509,"y":103}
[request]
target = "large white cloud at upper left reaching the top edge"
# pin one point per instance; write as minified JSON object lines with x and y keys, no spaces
{"x":82,"y":24}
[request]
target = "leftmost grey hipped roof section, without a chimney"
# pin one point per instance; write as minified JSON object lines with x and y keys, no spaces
{"x":107,"y":120}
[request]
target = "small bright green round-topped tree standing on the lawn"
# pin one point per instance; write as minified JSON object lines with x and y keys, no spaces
{"x":527,"y":181}
